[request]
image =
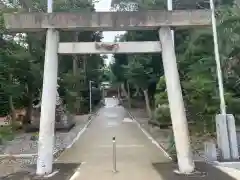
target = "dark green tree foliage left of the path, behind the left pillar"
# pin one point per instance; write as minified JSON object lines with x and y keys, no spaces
{"x":22,"y":59}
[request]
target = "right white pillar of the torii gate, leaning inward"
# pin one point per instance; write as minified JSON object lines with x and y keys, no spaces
{"x":176,"y":104}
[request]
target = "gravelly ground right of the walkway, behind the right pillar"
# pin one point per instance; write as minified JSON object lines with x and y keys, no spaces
{"x":162,"y":136}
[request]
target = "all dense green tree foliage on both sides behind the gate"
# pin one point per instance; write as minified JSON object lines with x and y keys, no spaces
{"x":137,"y":76}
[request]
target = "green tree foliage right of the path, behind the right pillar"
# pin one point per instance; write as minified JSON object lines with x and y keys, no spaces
{"x":196,"y":63}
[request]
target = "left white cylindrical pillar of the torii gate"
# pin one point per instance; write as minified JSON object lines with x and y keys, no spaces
{"x":47,"y":119}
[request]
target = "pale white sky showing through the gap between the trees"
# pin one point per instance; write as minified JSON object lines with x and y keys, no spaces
{"x":105,"y":5}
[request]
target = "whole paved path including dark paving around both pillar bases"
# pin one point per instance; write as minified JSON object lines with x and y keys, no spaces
{"x":90,"y":158}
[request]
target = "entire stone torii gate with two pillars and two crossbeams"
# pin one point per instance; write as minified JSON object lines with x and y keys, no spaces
{"x":109,"y":21}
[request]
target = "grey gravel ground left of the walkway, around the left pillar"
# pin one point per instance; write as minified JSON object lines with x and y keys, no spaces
{"x":23,"y":145}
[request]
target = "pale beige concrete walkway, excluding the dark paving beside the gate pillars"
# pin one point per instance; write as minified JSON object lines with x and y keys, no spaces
{"x":136,"y":154}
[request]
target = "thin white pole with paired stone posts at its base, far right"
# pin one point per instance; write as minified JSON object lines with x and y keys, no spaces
{"x":225,"y":123}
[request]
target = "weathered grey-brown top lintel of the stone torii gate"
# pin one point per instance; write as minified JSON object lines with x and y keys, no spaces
{"x":106,"y":21}
